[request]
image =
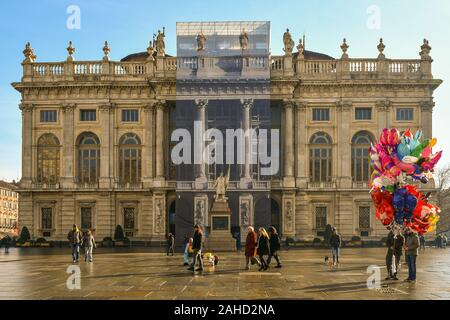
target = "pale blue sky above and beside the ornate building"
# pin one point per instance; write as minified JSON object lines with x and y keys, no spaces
{"x":129,"y":25}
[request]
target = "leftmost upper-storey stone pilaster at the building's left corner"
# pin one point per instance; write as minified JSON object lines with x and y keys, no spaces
{"x":27,"y":123}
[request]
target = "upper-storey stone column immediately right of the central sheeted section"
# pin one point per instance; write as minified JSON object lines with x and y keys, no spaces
{"x":288,"y":174}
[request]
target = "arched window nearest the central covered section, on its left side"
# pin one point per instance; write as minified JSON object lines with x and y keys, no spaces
{"x":130,"y":159}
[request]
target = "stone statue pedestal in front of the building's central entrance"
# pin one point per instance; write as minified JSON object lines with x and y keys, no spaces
{"x":219,"y":238}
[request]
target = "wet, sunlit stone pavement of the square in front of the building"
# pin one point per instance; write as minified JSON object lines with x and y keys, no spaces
{"x":141,"y":274}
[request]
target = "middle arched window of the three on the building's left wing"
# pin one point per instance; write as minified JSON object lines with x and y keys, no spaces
{"x":88,"y":158}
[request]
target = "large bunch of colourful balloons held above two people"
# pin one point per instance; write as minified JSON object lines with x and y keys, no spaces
{"x":400,"y":162}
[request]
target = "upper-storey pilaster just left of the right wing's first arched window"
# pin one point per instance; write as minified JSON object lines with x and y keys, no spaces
{"x":301,"y":147}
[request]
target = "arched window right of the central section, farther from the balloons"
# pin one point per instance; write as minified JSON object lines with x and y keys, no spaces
{"x":320,"y":157}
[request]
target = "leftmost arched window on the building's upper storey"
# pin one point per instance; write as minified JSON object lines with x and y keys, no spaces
{"x":48,"y":159}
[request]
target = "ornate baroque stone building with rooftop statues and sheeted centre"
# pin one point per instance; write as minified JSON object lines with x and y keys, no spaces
{"x":97,"y":134}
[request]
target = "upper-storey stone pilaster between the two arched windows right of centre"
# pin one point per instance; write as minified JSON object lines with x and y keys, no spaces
{"x":344,"y":144}
